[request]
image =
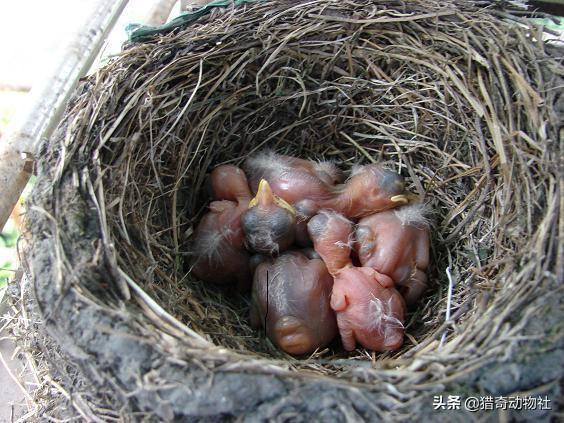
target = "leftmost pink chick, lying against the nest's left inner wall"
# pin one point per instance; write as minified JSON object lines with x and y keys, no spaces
{"x":218,"y":240}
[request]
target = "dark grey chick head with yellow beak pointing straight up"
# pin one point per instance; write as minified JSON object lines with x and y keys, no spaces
{"x":269,"y":223}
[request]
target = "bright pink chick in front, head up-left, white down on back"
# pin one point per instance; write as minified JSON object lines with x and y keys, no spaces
{"x":369,"y":309}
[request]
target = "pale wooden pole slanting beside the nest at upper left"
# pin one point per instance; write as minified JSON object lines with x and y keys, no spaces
{"x":47,"y":102}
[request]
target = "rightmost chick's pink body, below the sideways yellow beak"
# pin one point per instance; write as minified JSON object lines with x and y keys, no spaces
{"x":395,"y":247}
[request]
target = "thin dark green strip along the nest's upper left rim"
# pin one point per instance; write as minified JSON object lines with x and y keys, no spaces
{"x":136,"y":32}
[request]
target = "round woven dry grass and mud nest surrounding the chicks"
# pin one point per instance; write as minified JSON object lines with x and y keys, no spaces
{"x":458,"y":98}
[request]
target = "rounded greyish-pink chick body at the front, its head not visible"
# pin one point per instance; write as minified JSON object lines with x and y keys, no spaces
{"x":291,"y":296}
